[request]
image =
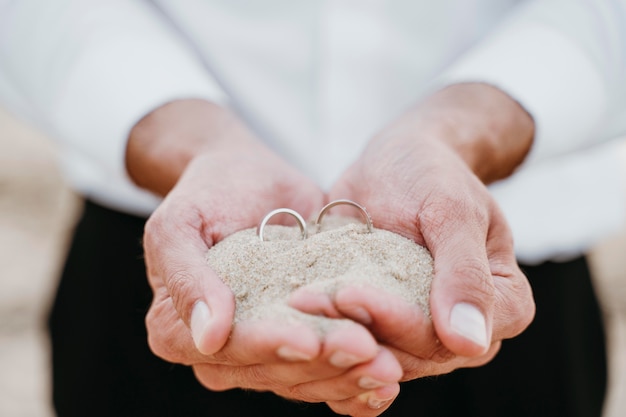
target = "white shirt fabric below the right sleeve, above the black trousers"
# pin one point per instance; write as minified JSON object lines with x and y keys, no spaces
{"x":562,"y":206}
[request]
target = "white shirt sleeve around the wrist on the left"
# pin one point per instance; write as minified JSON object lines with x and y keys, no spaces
{"x":87,"y":70}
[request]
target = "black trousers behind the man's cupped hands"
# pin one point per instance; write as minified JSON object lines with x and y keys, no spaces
{"x":102,"y":365}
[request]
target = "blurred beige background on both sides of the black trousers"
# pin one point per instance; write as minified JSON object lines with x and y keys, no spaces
{"x":37,"y":213}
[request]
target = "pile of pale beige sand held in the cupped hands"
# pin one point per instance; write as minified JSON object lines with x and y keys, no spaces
{"x":262,"y":274}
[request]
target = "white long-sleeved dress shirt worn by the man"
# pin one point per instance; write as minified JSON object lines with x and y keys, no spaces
{"x":316,"y":79}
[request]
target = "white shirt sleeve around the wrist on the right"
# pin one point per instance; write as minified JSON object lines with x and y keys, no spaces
{"x":564,"y":61}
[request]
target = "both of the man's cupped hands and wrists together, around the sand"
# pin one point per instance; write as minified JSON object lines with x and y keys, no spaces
{"x":423,"y":176}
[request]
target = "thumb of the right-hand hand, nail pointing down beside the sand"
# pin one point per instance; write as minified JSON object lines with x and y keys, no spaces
{"x":462,"y":292}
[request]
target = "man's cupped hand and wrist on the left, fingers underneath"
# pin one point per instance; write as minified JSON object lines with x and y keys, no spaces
{"x":219,"y":179}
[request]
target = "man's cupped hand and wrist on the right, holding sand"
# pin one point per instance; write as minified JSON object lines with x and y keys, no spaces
{"x":424,"y":177}
